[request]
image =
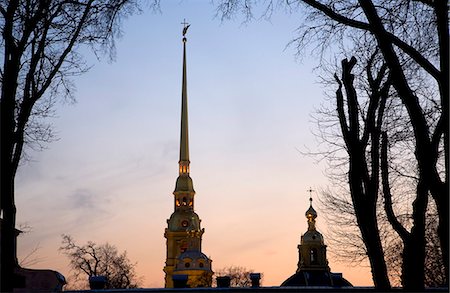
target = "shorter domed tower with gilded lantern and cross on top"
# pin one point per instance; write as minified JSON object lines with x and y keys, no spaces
{"x":312,"y":267}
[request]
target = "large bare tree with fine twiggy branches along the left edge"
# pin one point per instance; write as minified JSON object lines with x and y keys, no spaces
{"x":40,"y":51}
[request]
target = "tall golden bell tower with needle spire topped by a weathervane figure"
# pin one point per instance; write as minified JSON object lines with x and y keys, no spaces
{"x":184,"y":258}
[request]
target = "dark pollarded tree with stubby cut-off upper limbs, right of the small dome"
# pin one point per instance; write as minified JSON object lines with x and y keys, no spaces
{"x":363,"y":169}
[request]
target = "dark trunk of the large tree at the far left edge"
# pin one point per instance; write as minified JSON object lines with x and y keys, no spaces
{"x":7,"y":170}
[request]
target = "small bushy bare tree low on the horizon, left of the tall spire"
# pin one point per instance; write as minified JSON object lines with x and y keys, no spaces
{"x":91,"y":259}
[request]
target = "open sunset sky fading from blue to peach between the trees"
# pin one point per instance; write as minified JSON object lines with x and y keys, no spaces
{"x":110,"y":175}
